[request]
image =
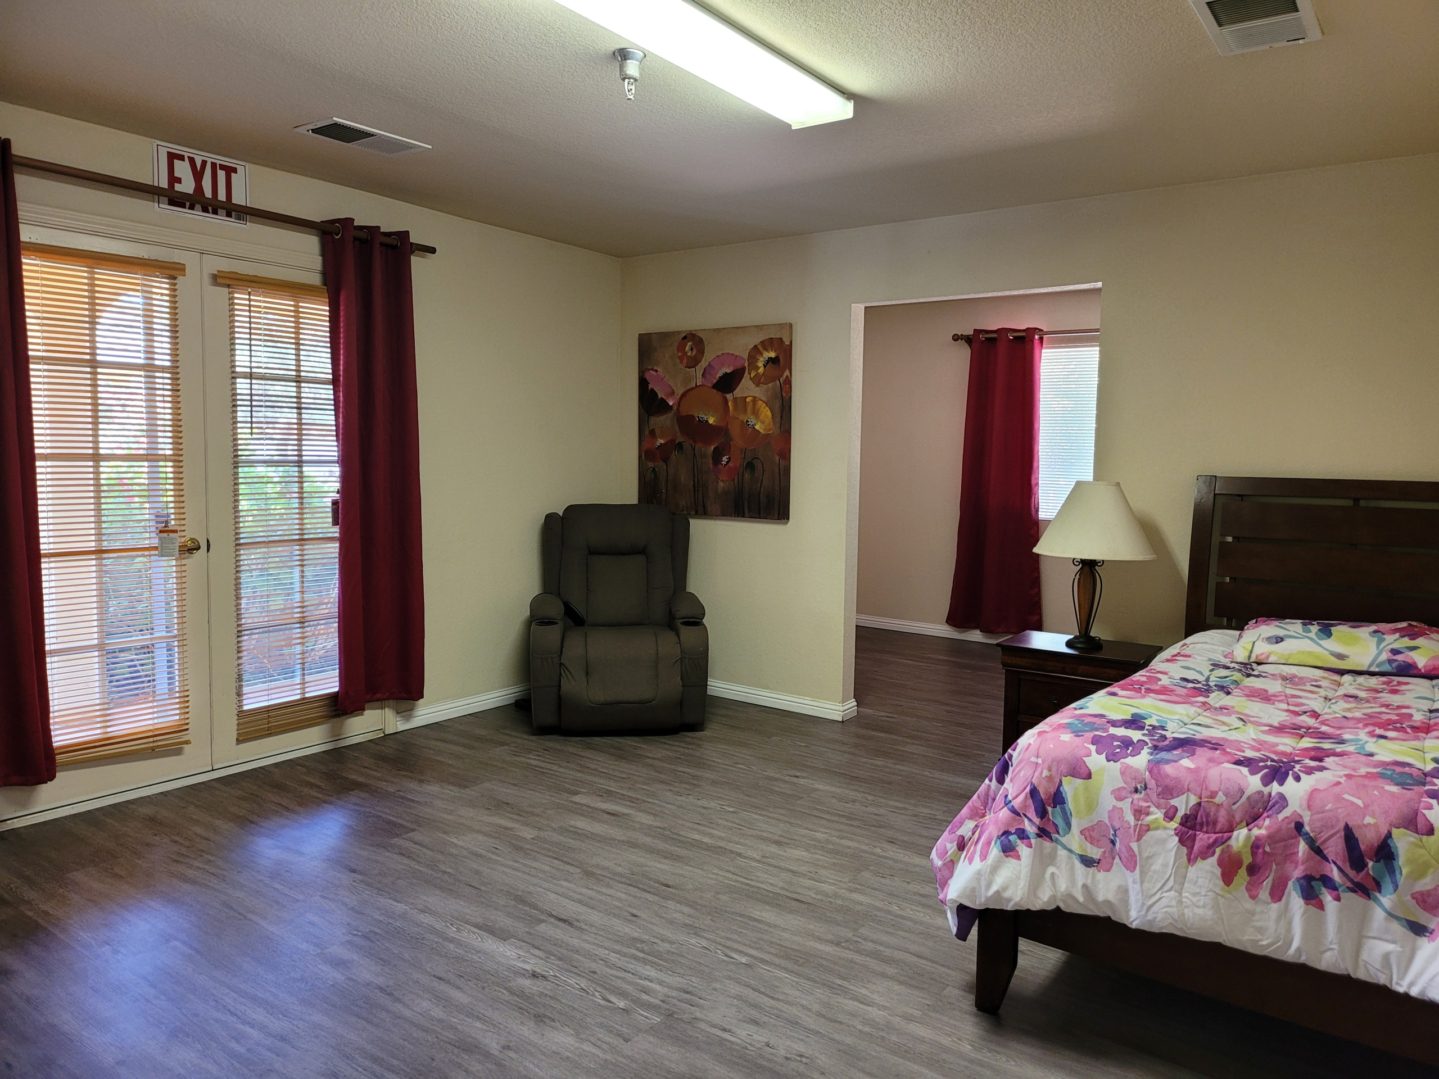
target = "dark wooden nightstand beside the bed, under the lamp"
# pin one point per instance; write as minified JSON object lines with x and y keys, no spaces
{"x":1044,"y":675}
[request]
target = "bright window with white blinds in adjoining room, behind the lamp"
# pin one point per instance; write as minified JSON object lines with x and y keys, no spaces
{"x":1068,"y":389}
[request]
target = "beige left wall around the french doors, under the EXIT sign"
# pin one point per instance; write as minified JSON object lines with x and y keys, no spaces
{"x":519,"y":382}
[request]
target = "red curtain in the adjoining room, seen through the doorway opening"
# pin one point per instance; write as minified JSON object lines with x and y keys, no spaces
{"x":997,"y":570}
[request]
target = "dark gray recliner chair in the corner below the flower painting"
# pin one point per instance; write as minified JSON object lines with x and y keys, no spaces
{"x":617,"y":642}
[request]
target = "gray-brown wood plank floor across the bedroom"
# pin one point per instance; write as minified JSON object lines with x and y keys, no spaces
{"x":470,"y":900}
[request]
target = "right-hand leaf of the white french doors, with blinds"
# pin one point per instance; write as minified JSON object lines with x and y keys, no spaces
{"x":273,"y":483}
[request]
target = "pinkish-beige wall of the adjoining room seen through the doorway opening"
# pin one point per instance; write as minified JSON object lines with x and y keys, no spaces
{"x":916,"y":381}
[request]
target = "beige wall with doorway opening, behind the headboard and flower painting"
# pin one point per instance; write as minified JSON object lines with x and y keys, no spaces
{"x":1271,"y":326}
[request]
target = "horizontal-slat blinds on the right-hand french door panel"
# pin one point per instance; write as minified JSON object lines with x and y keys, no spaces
{"x":287,"y":474}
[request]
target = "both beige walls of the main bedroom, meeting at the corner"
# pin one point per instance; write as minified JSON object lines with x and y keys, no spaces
{"x":1264,"y":326}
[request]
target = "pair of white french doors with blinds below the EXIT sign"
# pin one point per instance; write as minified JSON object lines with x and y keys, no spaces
{"x":186,"y":470}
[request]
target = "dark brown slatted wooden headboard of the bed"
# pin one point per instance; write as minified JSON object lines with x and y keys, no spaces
{"x":1358,"y":550}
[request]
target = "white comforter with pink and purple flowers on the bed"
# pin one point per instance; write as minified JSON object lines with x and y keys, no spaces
{"x":1279,"y":809}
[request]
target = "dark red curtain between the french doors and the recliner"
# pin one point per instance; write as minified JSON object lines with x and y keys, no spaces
{"x":382,"y":586}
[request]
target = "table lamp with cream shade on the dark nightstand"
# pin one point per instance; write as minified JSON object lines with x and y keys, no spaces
{"x":1096,"y":526}
